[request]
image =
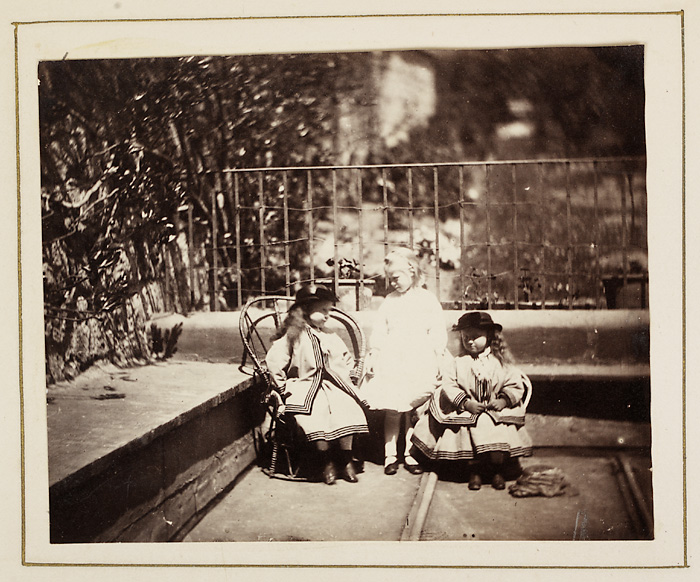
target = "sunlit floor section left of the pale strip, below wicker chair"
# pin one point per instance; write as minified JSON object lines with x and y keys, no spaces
{"x":259,"y":508}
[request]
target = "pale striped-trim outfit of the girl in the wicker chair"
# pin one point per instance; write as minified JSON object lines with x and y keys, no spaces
{"x":315,"y":374}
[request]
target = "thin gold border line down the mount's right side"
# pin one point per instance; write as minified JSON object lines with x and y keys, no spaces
{"x":683,"y":301}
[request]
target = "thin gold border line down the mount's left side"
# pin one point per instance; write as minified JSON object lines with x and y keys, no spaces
{"x":19,"y":305}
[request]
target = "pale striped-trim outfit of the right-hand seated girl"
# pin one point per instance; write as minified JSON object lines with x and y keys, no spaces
{"x":448,"y":433}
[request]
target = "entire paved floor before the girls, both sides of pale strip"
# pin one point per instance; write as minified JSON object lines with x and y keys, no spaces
{"x":375,"y":509}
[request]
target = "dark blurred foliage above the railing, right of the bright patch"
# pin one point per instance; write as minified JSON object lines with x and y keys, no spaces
{"x":584,"y":101}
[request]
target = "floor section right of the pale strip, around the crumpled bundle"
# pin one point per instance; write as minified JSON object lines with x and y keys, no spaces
{"x":597,"y":510}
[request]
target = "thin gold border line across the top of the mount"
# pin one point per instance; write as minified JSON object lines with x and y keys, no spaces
{"x":336,"y":16}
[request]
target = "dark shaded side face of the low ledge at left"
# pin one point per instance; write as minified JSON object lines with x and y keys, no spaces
{"x":151,"y":486}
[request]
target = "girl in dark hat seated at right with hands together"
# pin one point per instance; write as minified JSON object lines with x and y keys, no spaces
{"x":478,"y":413}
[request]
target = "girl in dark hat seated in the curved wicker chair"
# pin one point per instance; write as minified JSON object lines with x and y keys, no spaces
{"x":311,"y":369}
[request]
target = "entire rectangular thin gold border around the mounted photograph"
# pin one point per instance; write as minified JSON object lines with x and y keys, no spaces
{"x":16,"y":25}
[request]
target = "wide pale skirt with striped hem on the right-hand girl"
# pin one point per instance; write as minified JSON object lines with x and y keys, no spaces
{"x":460,"y":442}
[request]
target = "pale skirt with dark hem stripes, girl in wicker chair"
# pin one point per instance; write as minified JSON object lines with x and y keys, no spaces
{"x":334,"y":414}
